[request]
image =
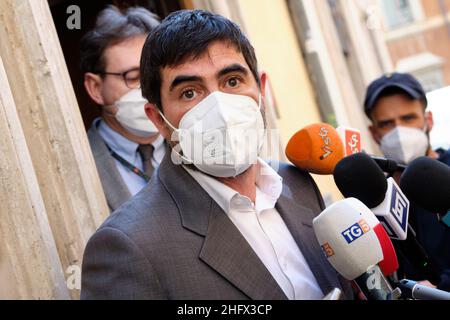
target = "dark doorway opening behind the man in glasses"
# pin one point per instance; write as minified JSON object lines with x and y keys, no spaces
{"x":70,"y":39}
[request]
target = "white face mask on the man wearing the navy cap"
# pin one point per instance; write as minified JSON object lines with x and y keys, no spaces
{"x":404,"y":144}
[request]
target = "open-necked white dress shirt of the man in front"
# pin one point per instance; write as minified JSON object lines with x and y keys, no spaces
{"x":262,"y":226}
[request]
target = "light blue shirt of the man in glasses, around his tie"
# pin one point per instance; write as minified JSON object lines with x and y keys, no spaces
{"x":129,"y":151}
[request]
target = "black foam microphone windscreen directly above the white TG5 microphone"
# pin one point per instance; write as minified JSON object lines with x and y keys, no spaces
{"x":358,"y":176}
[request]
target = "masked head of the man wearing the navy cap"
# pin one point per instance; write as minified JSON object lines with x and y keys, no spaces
{"x":396,"y":106}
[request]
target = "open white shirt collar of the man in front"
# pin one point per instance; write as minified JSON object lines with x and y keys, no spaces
{"x":268,"y":182}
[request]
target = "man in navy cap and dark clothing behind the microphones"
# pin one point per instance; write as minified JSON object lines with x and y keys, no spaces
{"x":396,"y":105}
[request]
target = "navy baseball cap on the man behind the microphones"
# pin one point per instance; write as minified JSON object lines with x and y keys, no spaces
{"x":403,"y":81}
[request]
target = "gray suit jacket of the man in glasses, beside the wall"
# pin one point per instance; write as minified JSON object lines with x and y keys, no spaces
{"x":114,"y":187}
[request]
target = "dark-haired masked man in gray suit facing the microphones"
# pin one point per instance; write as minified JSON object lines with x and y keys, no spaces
{"x":216,"y":221}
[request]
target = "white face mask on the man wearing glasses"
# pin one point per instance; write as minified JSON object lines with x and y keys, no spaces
{"x":131,"y":114}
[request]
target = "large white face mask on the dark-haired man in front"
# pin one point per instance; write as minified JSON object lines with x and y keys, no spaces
{"x":222,"y":135}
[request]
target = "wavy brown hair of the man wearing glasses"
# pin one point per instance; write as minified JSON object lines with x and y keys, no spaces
{"x":112,"y":27}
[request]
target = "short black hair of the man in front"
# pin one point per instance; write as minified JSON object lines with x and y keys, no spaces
{"x":183,"y":35}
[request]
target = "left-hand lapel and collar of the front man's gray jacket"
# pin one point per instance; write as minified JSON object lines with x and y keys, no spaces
{"x":224,"y":248}
